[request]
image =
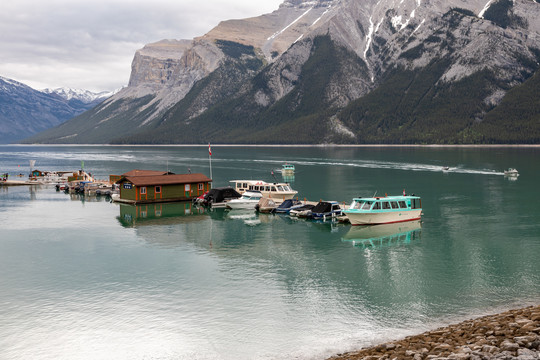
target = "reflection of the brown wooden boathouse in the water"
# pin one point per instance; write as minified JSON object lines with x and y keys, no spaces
{"x":160,"y":214}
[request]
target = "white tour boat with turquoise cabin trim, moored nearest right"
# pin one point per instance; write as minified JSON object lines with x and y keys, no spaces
{"x":384,"y":210}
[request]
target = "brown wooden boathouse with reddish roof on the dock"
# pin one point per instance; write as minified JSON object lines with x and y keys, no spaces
{"x":147,"y":186}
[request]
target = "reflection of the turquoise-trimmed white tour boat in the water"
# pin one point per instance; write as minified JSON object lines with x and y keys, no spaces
{"x":370,"y":236}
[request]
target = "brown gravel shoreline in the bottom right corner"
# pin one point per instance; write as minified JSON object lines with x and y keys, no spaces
{"x":513,"y":334}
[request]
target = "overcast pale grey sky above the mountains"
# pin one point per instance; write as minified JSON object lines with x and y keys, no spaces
{"x":90,"y":44}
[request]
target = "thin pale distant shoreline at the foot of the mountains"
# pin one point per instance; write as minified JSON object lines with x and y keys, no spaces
{"x":302,"y":145}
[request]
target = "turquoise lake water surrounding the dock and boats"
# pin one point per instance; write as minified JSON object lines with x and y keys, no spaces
{"x":83,"y":278}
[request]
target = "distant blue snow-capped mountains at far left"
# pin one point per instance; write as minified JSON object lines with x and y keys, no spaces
{"x":25,"y":111}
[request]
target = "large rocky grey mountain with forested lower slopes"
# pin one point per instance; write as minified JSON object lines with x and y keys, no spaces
{"x":343,"y":71}
